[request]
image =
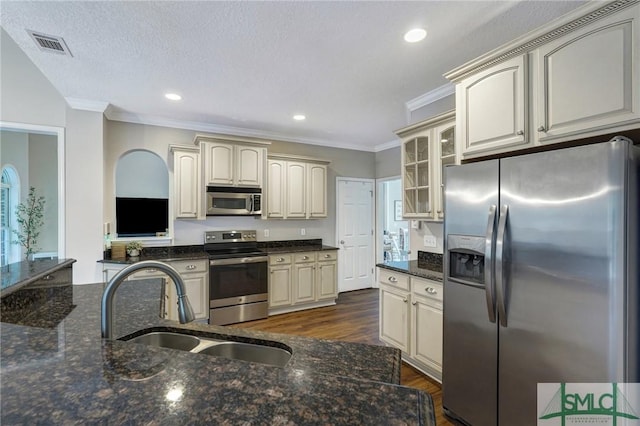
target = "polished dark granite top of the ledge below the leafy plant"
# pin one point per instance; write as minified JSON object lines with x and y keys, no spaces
{"x":19,"y":274}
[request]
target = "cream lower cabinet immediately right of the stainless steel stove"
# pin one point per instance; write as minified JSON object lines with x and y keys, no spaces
{"x":300,"y":281}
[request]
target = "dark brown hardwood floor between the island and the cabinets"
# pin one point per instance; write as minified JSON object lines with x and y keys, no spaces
{"x":354,"y":318}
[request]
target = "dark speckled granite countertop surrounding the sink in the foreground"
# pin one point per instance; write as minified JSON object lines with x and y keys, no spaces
{"x":63,"y":372}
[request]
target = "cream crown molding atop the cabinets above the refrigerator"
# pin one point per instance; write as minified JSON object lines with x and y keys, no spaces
{"x":590,"y":12}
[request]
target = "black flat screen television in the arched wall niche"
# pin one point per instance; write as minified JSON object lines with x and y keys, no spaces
{"x":141,"y":217}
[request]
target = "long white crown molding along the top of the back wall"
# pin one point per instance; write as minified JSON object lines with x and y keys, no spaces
{"x":150,"y":120}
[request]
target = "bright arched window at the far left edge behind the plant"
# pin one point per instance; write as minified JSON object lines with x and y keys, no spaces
{"x":9,"y":196}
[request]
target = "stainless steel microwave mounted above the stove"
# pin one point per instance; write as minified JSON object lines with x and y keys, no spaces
{"x":227,"y":201}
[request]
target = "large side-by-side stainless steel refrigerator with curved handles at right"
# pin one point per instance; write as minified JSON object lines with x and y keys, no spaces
{"x":541,"y":278}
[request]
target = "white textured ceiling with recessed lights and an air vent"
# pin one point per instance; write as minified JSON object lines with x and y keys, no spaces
{"x":247,"y":67}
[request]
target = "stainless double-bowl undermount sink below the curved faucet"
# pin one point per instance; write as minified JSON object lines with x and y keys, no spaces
{"x":250,"y":352}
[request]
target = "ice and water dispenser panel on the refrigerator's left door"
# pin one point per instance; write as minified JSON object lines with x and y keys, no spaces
{"x":466,"y":259}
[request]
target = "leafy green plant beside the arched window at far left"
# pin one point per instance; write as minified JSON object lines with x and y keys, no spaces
{"x":30,"y":218}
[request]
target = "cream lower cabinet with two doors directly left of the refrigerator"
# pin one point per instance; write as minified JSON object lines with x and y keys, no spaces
{"x":411,"y":319}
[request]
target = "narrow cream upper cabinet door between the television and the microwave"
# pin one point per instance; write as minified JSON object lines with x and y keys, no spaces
{"x":186,"y":182}
